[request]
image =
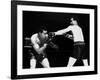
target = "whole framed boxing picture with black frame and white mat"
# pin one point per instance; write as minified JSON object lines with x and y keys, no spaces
{"x":53,"y":39}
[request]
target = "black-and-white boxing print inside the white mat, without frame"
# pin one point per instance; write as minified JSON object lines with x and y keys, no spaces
{"x":52,"y":39}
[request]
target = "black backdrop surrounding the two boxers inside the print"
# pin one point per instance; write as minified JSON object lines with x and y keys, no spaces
{"x":53,"y":21}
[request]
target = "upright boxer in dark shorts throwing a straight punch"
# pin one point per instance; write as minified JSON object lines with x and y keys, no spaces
{"x":79,"y":44}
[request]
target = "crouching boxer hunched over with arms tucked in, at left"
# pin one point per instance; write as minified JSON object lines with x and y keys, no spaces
{"x":39,"y":44}
